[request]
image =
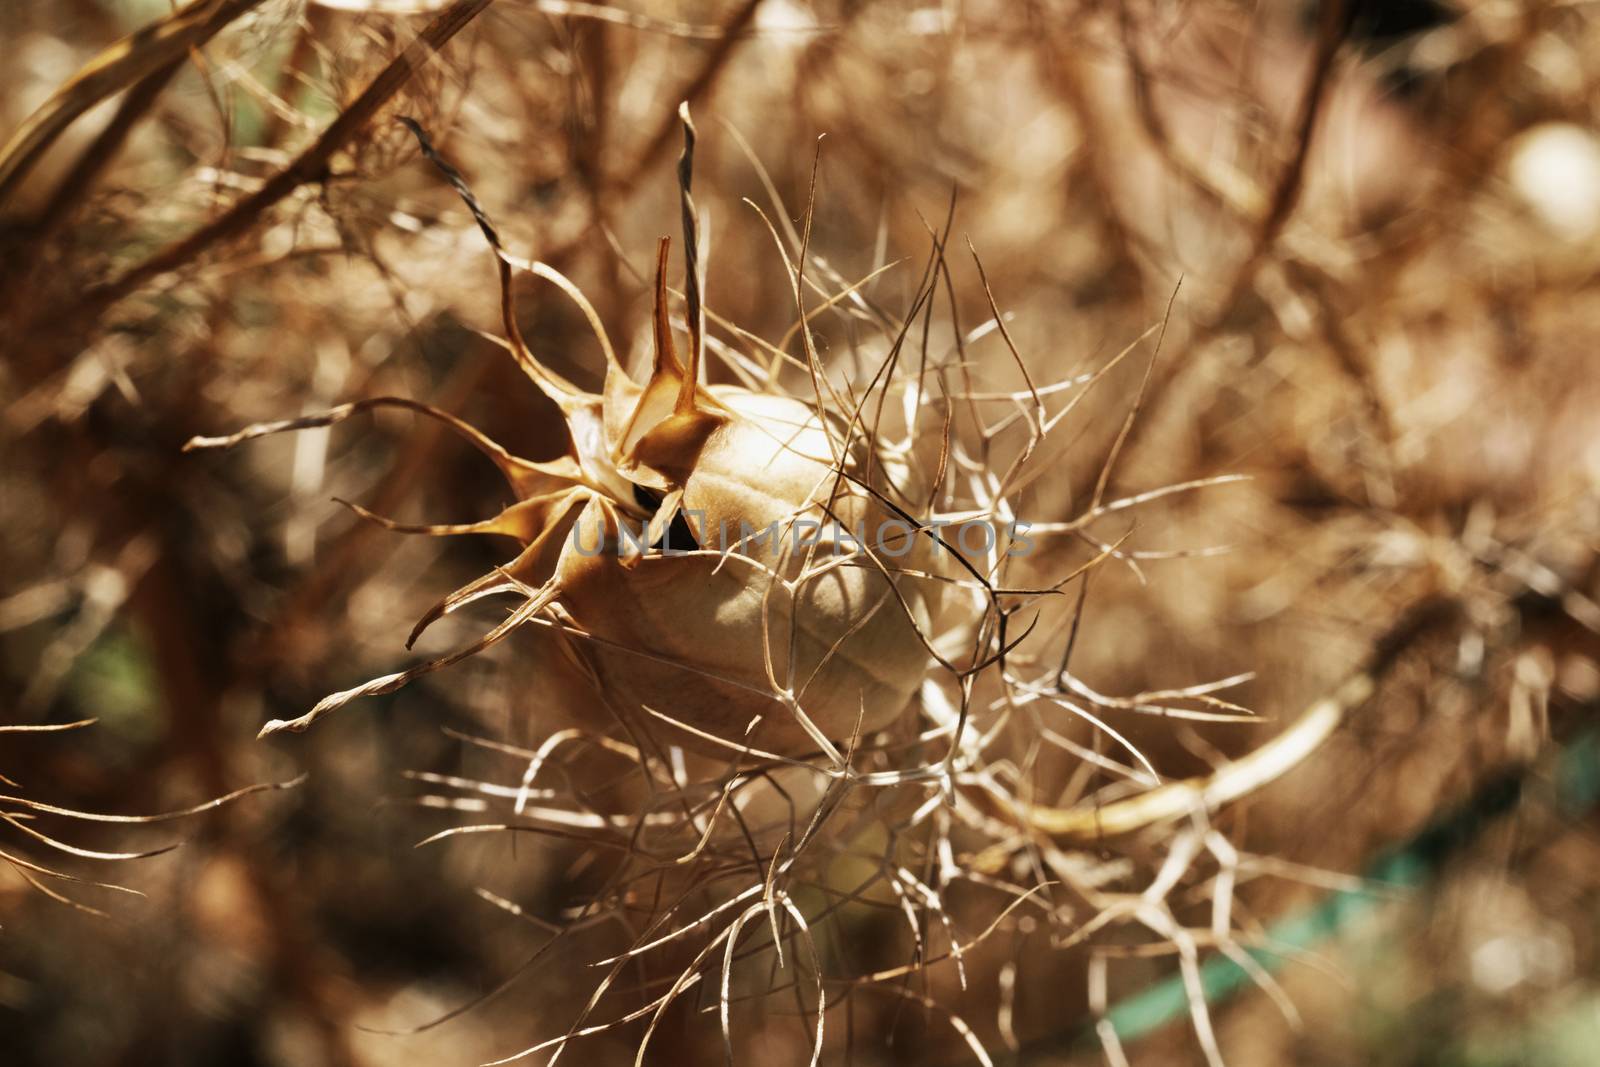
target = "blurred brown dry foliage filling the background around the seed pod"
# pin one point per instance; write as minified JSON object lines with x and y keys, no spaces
{"x":1382,"y":228}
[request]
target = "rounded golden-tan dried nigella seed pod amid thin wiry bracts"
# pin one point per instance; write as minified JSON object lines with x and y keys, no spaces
{"x":766,"y":636}
